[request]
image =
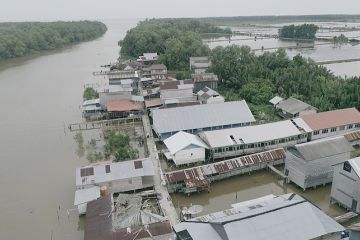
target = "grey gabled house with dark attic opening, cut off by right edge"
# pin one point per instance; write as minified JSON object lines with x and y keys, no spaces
{"x":345,"y":189}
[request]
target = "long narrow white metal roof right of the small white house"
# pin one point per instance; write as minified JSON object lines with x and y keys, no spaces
{"x":250,"y":134}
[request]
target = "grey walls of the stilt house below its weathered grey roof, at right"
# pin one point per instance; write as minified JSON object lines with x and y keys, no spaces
{"x":308,"y":174}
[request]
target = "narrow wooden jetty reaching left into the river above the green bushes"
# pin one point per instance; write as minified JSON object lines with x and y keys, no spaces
{"x":103,"y":123}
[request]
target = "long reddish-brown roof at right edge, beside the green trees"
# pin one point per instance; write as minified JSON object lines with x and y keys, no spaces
{"x":332,"y":119}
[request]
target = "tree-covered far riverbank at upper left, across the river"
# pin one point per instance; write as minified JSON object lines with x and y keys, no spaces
{"x":20,"y":39}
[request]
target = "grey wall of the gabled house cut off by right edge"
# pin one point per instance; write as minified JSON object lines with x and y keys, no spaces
{"x":345,"y":187}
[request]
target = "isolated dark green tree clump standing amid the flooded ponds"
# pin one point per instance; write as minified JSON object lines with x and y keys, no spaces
{"x":304,"y":31}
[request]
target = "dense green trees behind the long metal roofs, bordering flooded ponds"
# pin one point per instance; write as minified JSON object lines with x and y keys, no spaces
{"x":242,"y":74}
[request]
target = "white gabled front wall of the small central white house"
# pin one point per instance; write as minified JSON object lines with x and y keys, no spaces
{"x":188,"y":155}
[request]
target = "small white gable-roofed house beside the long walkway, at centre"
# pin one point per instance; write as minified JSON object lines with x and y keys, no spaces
{"x":185,"y":148}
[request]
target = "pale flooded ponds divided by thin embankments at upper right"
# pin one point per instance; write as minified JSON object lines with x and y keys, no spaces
{"x":318,"y":51}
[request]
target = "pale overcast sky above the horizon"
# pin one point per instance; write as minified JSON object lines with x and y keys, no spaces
{"x":45,"y":10}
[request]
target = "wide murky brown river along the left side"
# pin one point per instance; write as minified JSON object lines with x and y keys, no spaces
{"x":40,"y":95}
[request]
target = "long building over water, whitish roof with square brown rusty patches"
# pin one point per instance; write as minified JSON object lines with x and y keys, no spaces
{"x":117,"y":177}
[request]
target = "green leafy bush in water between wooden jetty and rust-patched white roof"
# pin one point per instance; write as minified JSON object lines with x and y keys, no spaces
{"x":118,"y":145}
